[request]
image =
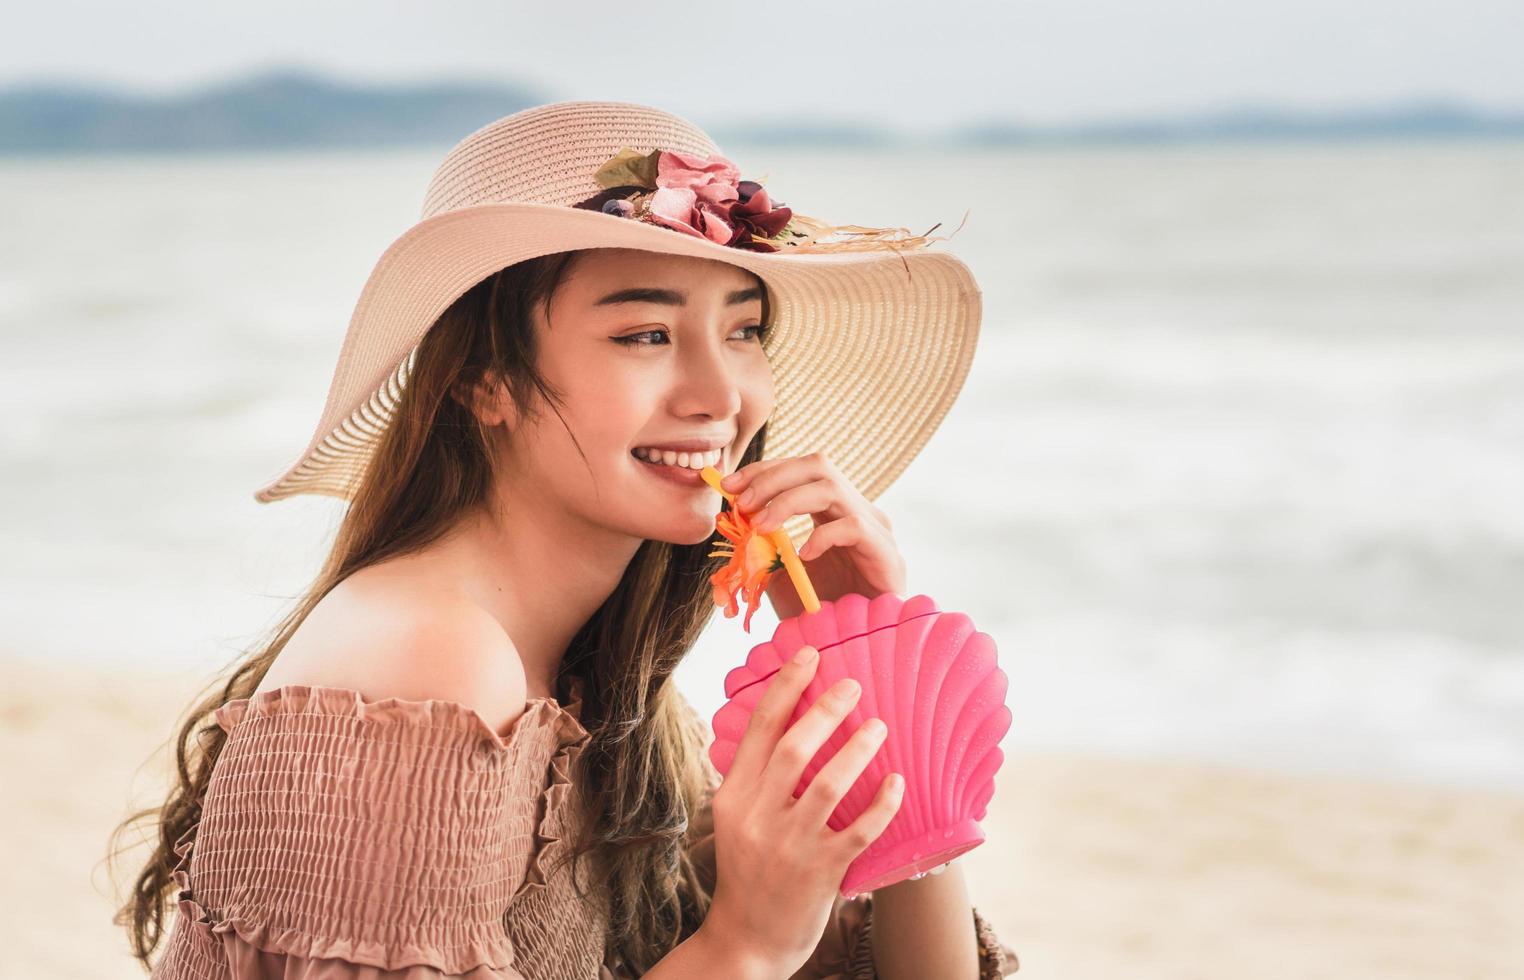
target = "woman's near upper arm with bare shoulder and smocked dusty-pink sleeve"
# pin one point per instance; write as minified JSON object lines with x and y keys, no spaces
{"x":330,"y":812}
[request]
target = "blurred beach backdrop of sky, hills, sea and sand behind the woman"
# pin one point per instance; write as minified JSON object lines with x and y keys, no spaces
{"x":1237,"y":481}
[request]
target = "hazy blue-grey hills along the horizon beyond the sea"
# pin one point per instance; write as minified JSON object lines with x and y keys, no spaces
{"x":298,"y":109}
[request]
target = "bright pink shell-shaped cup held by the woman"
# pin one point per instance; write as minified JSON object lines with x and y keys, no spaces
{"x":935,"y":684}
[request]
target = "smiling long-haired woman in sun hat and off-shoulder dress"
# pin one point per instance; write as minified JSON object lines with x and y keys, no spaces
{"x":463,"y":752}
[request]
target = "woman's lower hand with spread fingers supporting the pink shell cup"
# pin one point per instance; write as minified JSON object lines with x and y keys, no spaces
{"x":778,"y":866}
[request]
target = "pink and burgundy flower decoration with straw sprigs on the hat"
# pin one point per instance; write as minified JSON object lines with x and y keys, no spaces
{"x":708,"y":199}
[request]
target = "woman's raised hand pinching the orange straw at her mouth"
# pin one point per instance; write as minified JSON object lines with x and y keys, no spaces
{"x":851,"y":546}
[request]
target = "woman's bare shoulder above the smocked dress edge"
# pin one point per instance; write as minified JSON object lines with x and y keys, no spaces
{"x":388,"y":635}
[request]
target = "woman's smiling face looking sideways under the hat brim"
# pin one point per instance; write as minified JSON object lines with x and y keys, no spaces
{"x":647,"y":350}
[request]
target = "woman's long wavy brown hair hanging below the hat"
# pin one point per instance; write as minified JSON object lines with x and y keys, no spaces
{"x":642,"y":773}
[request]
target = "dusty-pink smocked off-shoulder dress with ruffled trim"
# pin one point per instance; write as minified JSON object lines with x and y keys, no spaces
{"x":344,"y":839}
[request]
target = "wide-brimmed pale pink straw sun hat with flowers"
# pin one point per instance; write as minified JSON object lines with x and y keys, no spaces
{"x":872,"y":331}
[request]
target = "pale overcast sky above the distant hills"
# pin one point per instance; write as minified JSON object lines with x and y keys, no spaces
{"x":883,"y":62}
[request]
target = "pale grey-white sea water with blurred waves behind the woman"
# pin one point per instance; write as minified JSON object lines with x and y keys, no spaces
{"x":1238,"y":473}
